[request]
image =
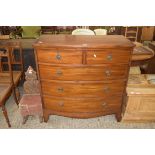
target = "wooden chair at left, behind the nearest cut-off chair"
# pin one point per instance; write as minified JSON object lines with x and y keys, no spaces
{"x":7,"y":53}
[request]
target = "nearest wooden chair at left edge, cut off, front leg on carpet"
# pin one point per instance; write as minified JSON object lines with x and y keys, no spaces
{"x":8,"y":87}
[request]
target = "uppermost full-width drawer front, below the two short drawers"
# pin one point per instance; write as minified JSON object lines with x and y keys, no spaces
{"x":107,"y":72}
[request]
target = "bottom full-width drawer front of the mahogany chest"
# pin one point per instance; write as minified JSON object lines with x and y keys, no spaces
{"x":82,"y":105}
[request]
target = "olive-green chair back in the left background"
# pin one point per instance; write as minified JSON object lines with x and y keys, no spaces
{"x":31,"y":31}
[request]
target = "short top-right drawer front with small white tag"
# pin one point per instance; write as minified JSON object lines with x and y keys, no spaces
{"x":108,"y":56}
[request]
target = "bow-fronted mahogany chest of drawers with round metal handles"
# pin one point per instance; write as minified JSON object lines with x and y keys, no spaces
{"x":83,"y":76}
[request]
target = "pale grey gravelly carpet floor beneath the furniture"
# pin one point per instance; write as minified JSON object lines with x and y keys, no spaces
{"x":59,"y":122}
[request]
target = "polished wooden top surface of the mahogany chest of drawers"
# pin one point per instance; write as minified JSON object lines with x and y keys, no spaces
{"x":89,"y":41}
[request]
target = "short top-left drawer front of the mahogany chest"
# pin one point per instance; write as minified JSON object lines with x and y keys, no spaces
{"x":60,"y":56}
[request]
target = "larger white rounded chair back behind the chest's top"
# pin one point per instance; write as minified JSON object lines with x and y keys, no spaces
{"x":83,"y":32}
